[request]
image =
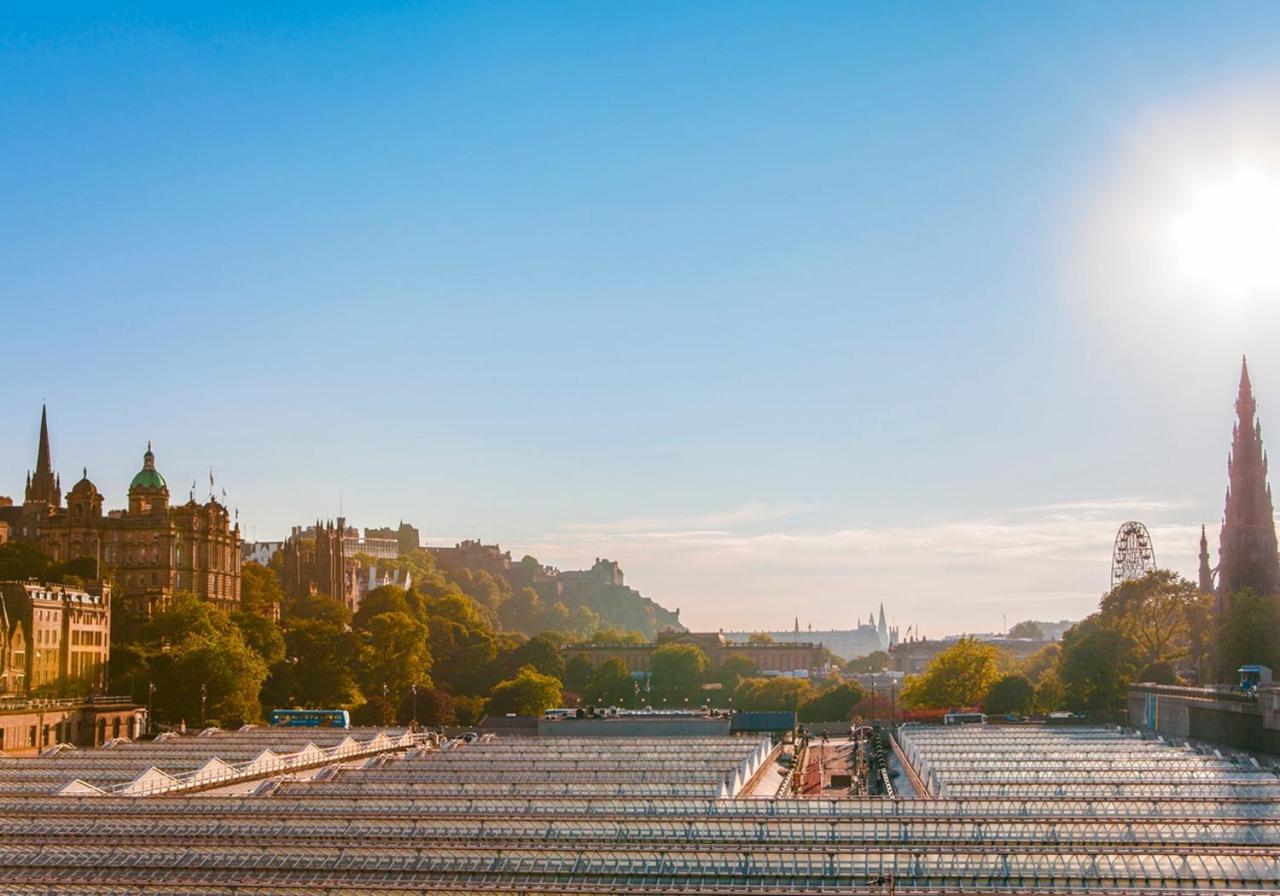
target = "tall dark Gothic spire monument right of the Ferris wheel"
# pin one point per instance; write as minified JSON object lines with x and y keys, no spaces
{"x":1247,"y":548}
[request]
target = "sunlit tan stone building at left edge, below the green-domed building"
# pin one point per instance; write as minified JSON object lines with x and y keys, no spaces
{"x":54,"y":639}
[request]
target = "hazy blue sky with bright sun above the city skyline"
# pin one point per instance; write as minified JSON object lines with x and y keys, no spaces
{"x":792,"y":309}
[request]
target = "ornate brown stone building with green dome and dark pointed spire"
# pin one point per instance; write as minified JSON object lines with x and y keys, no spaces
{"x":150,"y":551}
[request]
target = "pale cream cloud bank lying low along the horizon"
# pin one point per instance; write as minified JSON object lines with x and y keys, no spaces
{"x":961,"y":575}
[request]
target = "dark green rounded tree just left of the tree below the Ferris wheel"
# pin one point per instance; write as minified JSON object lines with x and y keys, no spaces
{"x":1096,"y":666}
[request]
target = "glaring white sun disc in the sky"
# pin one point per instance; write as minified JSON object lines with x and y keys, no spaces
{"x":1223,"y":234}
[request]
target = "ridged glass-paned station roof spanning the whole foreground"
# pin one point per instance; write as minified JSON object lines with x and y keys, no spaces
{"x":936,"y":810}
